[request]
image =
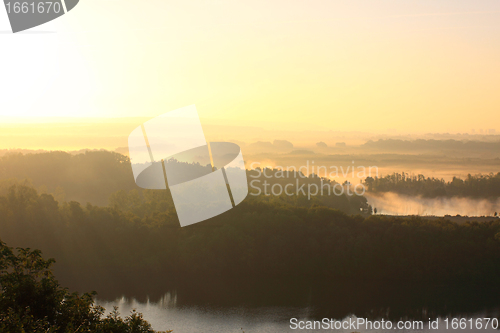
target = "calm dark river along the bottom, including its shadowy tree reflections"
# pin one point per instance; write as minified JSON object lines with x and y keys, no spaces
{"x":269,"y":308}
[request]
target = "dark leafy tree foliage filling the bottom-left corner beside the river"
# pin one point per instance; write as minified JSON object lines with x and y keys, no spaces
{"x":31,"y":300}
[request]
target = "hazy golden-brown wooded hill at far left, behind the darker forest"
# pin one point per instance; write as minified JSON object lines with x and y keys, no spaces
{"x":88,"y":177}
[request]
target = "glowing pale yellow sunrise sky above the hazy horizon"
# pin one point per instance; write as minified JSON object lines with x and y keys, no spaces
{"x":415,"y":66}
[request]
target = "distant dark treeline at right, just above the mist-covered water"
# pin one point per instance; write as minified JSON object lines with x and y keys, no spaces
{"x":483,"y":186}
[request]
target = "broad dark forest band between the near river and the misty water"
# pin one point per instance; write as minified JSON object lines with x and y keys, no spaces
{"x":262,"y":240}
